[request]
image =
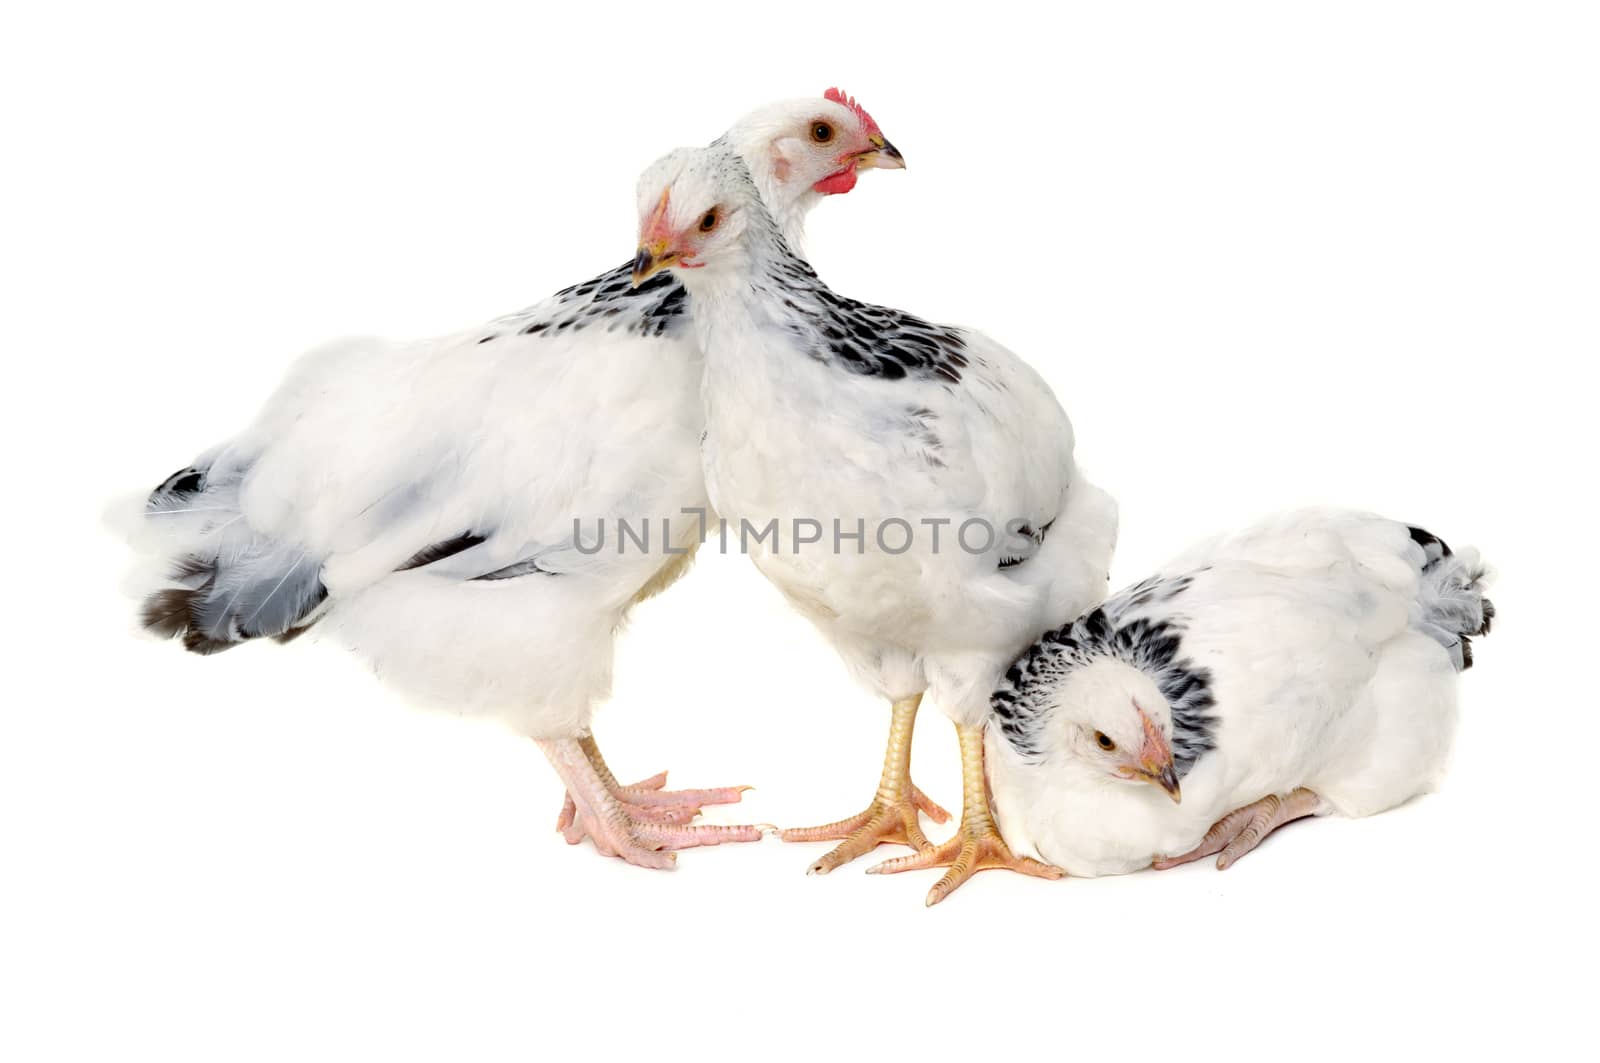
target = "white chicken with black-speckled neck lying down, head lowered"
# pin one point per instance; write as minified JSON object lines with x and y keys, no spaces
{"x":1298,"y":668}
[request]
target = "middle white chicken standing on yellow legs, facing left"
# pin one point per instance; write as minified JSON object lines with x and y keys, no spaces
{"x":919,"y":479}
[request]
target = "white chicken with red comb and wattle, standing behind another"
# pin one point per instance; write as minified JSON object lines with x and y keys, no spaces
{"x":422,"y":502}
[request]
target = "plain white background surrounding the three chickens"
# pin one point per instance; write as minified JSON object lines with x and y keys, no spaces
{"x":1265,"y":254}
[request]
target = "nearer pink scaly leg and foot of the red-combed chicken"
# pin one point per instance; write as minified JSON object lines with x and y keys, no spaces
{"x":617,"y":832}
